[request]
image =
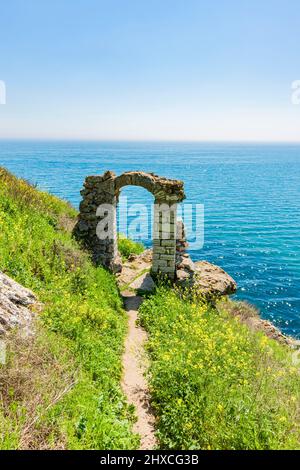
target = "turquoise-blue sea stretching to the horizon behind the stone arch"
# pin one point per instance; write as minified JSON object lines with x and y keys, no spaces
{"x":250,"y":193}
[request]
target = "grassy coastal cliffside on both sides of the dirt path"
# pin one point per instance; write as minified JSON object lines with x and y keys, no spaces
{"x":216,"y":380}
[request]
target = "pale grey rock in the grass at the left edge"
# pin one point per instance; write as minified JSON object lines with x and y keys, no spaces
{"x":15,"y":301}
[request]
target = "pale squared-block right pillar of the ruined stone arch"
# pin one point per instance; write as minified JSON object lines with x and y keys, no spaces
{"x":164,"y":239}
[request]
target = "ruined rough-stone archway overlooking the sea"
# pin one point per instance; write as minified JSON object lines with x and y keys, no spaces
{"x":99,"y":200}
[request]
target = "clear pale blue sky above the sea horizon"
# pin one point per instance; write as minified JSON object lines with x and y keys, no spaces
{"x":150,"y":69}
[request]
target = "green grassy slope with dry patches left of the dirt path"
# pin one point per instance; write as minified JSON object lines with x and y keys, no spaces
{"x":60,"y":389}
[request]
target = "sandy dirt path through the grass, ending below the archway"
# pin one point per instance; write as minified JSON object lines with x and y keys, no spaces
{"x":134,"y":383}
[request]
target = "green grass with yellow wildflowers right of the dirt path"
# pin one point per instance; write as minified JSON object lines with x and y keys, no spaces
{"x":214,"y":383}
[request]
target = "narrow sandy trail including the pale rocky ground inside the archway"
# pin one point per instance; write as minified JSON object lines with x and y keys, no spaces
{"x":135,"y":364}
